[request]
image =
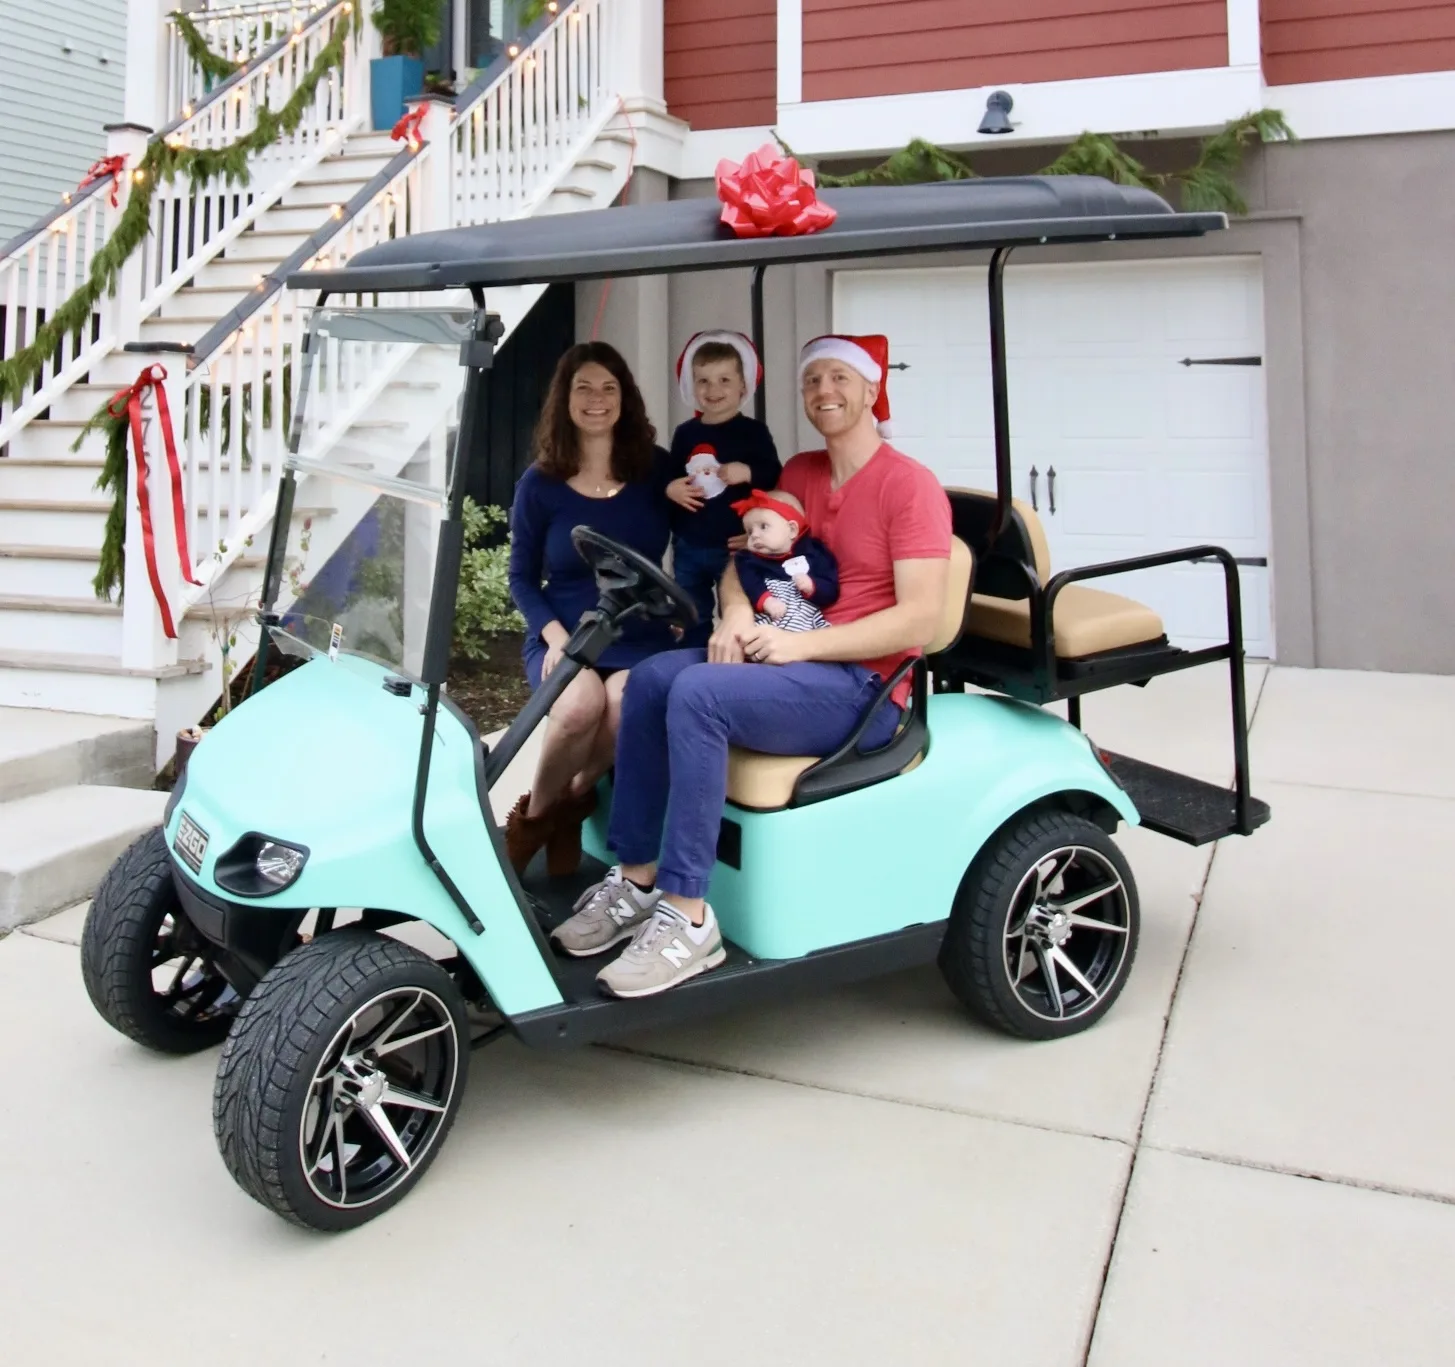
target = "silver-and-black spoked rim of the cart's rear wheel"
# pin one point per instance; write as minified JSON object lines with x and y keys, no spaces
{"x":1067,"y":934}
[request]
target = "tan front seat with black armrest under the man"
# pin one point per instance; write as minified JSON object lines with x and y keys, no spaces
{"x":766,"y":783}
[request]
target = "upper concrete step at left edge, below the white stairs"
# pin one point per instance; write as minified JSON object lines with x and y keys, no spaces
{"x":43,"y":750}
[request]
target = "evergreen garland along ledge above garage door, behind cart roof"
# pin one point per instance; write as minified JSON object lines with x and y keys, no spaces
{"x":1210,"y":184}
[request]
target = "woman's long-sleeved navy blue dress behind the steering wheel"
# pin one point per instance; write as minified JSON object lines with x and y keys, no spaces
{"x":549,"y":580}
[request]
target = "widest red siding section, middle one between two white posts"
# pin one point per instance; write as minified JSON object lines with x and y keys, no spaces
{"x":897,"y":47}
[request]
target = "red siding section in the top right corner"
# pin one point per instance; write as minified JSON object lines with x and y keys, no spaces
{"x":1336,"y":40}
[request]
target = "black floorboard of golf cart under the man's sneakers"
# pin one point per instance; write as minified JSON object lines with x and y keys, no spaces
{"x":590,"y":1016}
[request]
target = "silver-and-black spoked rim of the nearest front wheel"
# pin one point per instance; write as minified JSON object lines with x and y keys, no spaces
{"x":379,"y":1097}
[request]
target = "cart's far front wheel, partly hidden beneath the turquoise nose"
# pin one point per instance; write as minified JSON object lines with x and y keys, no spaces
{"x":136,"y":930}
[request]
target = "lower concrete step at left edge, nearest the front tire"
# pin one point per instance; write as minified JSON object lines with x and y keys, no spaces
{"x":56,"y":847}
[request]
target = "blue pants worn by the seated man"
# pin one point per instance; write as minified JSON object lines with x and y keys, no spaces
{"x":679,"y":718}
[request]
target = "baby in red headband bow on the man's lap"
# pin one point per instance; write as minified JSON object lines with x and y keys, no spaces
{"x":788,"y":577}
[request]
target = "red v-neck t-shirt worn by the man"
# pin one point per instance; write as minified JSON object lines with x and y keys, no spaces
{"x":890,"y":510}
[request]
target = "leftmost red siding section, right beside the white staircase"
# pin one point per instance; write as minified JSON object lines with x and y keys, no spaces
{"x":722,"y":62}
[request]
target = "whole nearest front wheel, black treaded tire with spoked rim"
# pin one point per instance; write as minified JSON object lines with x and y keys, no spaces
{"x":287,"y":1071}
